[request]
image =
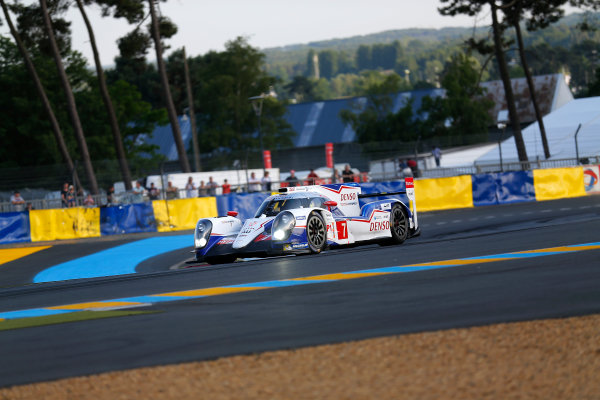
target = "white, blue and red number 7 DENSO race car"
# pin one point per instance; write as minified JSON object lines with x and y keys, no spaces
{"x":308,"y":219}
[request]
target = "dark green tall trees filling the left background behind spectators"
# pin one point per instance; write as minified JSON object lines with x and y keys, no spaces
{"x":56,"y":110}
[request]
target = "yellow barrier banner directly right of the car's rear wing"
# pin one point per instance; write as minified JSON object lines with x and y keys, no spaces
{"x":444,"y":193}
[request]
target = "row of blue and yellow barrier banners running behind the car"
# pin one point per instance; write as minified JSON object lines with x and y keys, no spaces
{"x":182,"y":214}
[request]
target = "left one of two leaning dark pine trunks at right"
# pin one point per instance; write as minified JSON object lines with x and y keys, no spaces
{"x":472,"y":8}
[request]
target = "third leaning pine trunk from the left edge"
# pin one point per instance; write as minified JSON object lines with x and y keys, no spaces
{"x":110,"y":111}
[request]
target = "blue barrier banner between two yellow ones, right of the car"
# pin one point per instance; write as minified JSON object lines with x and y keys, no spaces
{"x":502,"y":188}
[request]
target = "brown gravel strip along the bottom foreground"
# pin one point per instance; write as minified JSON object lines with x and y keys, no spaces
{"x":548,"y":359}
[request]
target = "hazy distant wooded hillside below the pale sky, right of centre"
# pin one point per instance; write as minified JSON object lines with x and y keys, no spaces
{"x":419,"y":56}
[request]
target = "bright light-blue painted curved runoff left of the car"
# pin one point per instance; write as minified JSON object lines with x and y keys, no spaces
{"x":118,"y":260}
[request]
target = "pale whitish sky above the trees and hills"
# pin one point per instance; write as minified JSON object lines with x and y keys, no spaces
{"x":208,"y":25}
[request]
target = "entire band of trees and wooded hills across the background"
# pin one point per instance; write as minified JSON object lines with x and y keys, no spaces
{"x":56,"y":110}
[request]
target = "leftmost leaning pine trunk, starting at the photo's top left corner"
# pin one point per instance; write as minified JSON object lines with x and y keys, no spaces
{"x":60,"y":141}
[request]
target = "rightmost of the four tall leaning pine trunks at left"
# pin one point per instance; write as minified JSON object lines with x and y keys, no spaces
{"x":156,"y":36}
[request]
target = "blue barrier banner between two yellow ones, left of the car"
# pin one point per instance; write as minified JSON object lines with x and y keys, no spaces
{"x":128,"y":218}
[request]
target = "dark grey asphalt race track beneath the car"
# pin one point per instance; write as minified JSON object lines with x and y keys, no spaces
{"x":557,"y":285}
